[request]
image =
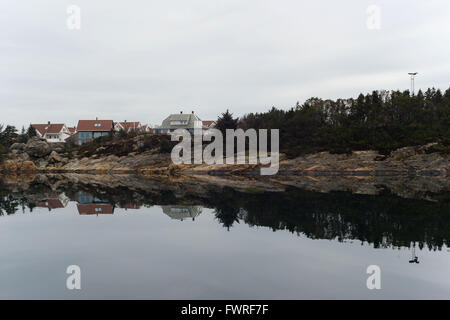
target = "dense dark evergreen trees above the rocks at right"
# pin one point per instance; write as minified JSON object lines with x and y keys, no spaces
{"x":382,"y":120}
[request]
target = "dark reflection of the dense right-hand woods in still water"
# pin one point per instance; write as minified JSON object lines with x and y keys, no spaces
{"x":382,"y":220}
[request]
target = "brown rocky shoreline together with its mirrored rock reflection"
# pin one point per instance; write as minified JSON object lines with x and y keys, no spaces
{"x":412,"y":172}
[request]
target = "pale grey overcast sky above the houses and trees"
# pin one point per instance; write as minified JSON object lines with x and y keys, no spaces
{"x":143,"y":60}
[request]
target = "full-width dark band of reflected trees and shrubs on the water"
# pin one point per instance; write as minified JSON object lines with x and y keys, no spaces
{"x":382,"y":220}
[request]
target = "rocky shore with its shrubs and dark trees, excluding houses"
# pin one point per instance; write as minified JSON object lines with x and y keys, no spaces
{"x":382,"y":133}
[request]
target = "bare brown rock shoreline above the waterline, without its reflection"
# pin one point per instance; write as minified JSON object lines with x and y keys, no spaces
{"x":42,"y":157}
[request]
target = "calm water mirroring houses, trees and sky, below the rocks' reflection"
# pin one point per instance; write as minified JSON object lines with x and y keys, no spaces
{"x":226,"y":244}
